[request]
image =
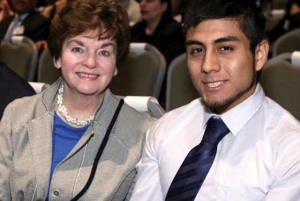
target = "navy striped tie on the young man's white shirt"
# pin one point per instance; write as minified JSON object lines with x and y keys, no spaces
{"x":197,"y":163}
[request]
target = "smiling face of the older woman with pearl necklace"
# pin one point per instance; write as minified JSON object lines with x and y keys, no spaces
{"x":87,"y":64}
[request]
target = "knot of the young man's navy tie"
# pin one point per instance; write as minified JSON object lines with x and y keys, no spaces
{"x":215,"y":130}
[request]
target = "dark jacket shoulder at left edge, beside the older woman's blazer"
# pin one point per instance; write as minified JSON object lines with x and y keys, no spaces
{"x":12,"y":86}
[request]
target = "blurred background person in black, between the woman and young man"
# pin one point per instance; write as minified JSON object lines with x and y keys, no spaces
{"x":159,"y":29}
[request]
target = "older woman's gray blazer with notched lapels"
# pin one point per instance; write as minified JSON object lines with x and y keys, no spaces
{"x":26,"y":149}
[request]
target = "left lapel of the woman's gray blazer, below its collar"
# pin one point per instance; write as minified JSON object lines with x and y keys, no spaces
{"x":40,"y":134}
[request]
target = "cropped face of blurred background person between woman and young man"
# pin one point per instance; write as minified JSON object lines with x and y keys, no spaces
{"x":152,"y":10}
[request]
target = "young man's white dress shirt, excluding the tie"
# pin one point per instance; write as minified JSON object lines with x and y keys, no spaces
{"x":258,"y":160}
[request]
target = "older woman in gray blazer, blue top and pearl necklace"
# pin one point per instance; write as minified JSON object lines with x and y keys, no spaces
{"x":75,"y":140}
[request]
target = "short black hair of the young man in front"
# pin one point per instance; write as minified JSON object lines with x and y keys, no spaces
{"x":245,"y":12}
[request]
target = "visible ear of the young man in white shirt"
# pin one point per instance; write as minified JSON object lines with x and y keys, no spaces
{"x":261,"y":54}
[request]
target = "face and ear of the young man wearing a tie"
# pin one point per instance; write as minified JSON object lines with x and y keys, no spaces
{"x":221,"y":65}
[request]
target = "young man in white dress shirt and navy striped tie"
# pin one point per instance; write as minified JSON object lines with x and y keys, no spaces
{"x":234,"y":143}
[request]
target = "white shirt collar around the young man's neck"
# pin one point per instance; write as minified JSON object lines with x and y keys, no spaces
{"x":238,"y":116}
